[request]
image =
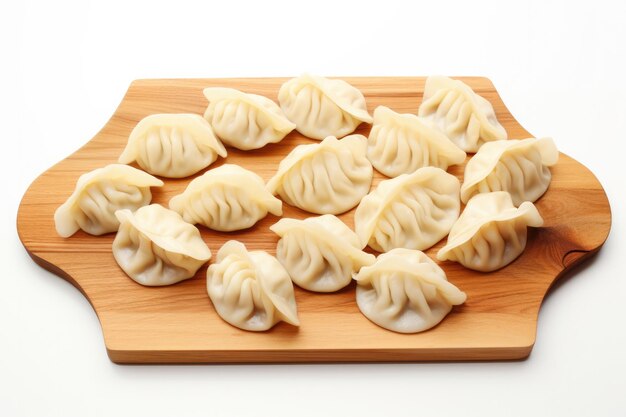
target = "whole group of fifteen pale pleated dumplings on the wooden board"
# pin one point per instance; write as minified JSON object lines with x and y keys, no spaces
{"x":402,"y":289}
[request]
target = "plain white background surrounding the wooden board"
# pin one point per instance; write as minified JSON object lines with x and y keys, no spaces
{"x":64,"y":67}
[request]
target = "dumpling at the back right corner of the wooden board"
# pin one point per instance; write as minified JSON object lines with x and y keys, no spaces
{"x":465,"y":117}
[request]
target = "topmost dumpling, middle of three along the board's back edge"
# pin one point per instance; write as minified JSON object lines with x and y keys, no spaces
{"x":322,"y":107}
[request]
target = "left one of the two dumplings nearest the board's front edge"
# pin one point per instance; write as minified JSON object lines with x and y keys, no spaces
{"x":250,"y":290}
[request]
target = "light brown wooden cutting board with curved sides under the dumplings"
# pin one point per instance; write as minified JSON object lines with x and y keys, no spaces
{"x":179,"y":324}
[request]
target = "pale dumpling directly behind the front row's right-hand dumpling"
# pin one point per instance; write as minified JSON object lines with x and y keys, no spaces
{"x":412,"y":211}
